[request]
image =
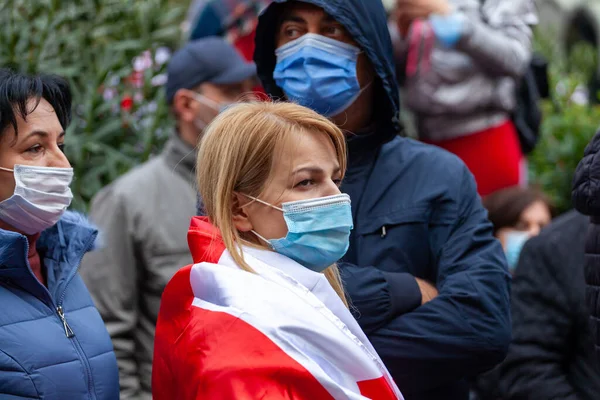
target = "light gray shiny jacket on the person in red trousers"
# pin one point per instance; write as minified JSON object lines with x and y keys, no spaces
{"x":471,"y":87}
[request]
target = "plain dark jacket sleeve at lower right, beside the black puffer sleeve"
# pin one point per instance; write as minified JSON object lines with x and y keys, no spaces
{"x":542,"y":311}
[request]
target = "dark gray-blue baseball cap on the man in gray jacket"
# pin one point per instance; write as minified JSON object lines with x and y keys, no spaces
{"x":210,"y":59}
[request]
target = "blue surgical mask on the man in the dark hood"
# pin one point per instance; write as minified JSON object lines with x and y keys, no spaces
{"x":319,"y":73}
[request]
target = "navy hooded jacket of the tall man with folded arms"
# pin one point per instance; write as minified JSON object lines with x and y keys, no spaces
{"x":416,"y":213}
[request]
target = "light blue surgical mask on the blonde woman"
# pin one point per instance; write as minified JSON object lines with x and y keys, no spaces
{"x":318,"y":230}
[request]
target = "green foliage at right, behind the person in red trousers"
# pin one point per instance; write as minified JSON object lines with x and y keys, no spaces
{"x":568,"y":124}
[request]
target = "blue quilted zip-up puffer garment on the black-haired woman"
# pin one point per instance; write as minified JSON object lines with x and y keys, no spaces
{"x":53,"y":343}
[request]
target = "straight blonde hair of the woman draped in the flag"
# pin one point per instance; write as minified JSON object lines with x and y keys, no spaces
{"x":236,"y":155}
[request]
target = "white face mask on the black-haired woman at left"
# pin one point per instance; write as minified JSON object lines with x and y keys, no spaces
{"x":41,"y":196}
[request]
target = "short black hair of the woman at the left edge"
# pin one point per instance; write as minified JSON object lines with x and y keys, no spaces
{"x":17,"y":89}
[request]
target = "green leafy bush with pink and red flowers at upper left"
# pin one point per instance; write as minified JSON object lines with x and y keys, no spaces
{"x":93,"y":43}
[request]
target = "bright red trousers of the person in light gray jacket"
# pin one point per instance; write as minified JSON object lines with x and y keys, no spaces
{"x":494,"y":157}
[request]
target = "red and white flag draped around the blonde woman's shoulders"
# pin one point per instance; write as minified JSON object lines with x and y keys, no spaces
{"x":281,"y":333}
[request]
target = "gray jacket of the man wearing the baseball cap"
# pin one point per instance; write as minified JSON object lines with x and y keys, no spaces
{"x":143,"y":218}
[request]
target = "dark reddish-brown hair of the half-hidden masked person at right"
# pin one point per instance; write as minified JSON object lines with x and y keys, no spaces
{"x":505,"y":206}
